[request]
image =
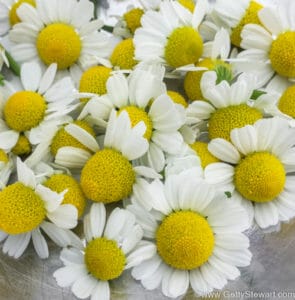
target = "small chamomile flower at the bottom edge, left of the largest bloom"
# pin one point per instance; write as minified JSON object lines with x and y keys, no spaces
{"x":110,"y":249}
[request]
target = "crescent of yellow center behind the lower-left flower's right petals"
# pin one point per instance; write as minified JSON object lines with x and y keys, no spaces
{"x":74,"y":195}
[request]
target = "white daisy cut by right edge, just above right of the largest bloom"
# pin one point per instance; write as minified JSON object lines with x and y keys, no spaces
{"x":257,"y":164}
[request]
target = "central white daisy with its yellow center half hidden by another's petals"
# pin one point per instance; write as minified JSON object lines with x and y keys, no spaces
{"x":143,"y":96}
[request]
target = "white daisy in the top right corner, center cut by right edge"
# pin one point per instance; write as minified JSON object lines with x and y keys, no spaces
{"x":270,"y":49}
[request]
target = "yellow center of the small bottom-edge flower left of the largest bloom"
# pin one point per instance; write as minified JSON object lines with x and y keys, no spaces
{"x":104,"y":259}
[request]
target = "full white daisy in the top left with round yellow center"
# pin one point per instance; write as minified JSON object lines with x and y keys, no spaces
{"x":62,"y":33}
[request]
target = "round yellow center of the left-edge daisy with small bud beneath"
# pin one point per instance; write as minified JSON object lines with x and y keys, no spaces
{"x":24,"y":110}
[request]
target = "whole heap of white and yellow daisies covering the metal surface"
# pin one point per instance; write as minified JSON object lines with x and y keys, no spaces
{"x":167,"y":136}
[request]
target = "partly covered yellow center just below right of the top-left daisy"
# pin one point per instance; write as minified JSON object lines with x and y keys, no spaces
{"x":94,"y":81}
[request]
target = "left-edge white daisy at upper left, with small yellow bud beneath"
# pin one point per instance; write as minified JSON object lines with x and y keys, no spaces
{"x":31,"y":108}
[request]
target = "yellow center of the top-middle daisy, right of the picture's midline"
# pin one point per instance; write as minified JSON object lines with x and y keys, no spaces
{"x":184,"y":46}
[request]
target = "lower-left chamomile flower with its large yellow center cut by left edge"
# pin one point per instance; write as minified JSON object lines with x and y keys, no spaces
{"x":27,"y":208}
